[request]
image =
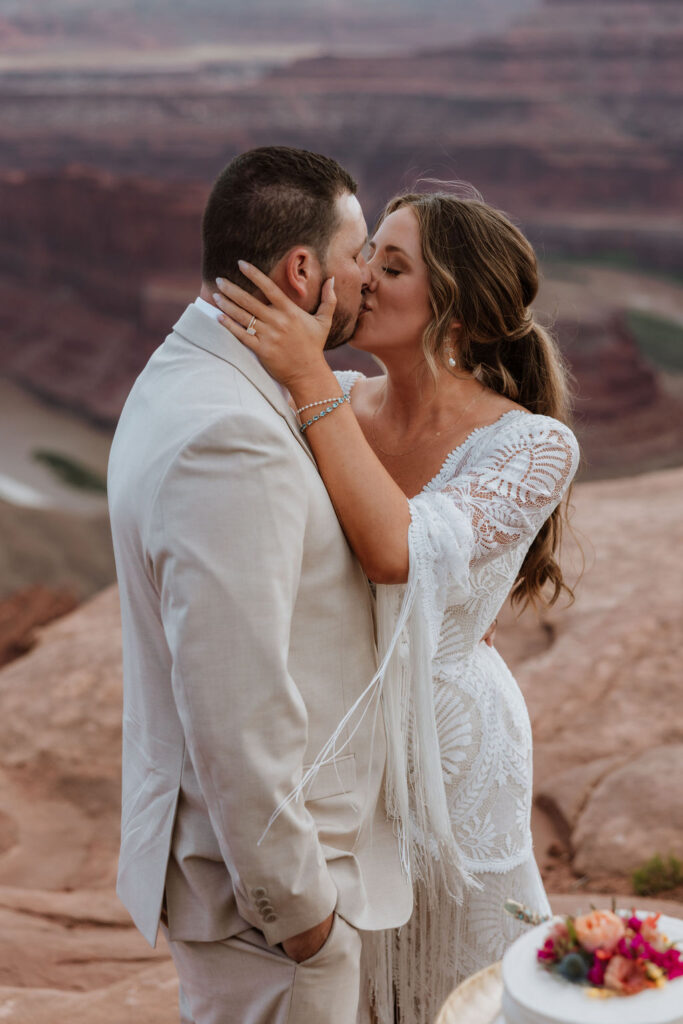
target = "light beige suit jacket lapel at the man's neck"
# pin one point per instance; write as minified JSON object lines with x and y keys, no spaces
{"x":200,"y":330}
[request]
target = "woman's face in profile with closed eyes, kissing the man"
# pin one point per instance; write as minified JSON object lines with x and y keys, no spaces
{"x":397,"y":310}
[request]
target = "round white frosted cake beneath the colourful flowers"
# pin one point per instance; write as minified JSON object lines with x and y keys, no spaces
{"x":534,"y":996}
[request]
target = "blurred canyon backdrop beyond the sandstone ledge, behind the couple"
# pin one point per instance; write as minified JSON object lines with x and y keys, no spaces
{"x":117,"y":115}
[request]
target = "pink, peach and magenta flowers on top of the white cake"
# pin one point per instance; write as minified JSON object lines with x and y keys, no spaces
{"x":614,"y":955}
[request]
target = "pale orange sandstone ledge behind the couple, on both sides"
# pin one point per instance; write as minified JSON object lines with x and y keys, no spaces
{"x":603,"y":681}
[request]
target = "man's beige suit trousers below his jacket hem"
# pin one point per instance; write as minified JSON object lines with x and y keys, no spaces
{"x":242,"y":980}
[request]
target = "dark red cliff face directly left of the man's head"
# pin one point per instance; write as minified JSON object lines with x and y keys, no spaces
{"x":98,"y":235}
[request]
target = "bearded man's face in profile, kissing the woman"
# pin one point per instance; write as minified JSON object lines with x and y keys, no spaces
{"x":345,"y":263}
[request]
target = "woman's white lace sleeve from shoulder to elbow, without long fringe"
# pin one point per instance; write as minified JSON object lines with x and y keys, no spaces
{"x":501,"y":501}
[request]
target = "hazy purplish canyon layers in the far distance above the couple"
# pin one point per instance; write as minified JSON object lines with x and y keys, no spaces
{"x":574,"y":109}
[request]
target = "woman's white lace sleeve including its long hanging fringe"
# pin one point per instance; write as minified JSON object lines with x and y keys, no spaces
{"x":500,"y":499}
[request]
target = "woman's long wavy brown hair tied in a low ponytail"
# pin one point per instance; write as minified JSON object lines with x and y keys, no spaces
{"x":484,"y":274}
